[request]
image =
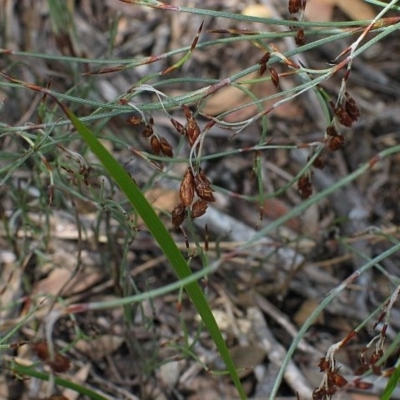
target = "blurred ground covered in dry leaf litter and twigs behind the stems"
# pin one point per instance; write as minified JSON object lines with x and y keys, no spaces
{"x":157,"y":349}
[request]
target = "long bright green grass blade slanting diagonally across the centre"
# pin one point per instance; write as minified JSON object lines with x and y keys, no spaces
{"x":163,"y":238}
